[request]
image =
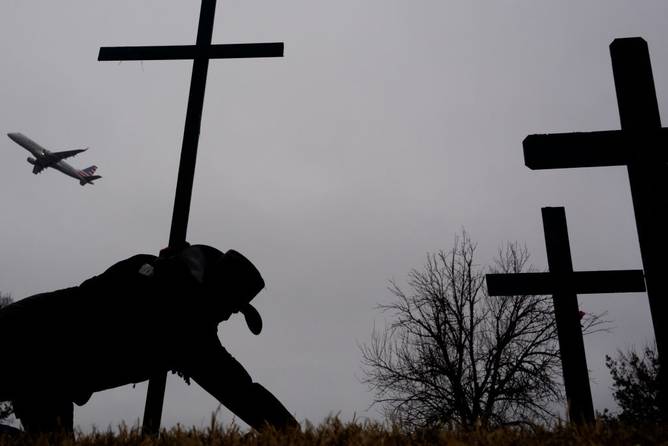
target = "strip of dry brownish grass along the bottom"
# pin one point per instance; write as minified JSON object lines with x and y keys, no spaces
{"x":333,"y":432}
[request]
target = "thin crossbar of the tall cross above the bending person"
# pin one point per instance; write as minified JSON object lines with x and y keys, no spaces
{"x":180,"y":52}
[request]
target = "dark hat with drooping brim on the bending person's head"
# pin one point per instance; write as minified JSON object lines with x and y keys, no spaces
{"x":231,"y":273}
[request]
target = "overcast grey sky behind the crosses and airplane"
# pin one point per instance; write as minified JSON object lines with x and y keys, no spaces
{"x":387,"y":128}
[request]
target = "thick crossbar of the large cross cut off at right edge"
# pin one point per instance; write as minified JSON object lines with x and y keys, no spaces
{"x":594,"y":149}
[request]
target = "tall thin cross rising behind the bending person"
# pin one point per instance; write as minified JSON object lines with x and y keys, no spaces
{"x":200,"y":53}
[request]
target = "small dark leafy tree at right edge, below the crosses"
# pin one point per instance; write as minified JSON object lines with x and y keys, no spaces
{"x":635,"y":385}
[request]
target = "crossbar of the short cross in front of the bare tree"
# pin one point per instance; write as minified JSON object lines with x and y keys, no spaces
{"x":578,"y":282}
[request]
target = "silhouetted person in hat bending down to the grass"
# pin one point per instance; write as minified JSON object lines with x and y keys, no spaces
{"x":143,"y":316}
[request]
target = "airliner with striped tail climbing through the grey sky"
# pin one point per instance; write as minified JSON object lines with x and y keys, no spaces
{"x":44,"y":158}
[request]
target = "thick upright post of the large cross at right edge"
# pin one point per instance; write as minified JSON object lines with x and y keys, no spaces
{"x":639,"y":113}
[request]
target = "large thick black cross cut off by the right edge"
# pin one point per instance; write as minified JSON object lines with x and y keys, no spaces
{"x":640,"y":146}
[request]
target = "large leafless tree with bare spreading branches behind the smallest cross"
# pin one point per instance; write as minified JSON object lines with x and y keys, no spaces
{"x":454,"y":356}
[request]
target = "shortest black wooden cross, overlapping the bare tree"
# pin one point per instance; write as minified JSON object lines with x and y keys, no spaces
{"x":564,"y":284}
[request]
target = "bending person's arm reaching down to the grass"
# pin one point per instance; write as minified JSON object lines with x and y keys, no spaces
{"x":226,"y":379}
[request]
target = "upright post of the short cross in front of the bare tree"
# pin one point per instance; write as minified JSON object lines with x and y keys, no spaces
{"x":566,"y":313}
